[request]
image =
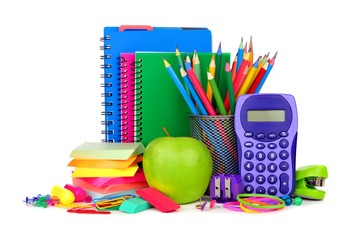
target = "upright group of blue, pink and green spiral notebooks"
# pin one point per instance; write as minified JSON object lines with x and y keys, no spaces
{"x":139,"y":96}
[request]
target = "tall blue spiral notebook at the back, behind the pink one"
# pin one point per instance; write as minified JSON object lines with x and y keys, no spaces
{"x":132,"y":38}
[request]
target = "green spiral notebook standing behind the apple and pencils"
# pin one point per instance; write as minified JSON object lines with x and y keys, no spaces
{"x":158,"y":101}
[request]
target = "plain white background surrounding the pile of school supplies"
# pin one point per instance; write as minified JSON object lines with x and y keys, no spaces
{"x":50,"y":103}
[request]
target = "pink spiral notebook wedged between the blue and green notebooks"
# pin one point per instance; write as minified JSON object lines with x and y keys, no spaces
{"x":127,"y":97}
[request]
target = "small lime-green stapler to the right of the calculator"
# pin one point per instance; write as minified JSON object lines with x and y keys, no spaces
{"x":308,"y":178}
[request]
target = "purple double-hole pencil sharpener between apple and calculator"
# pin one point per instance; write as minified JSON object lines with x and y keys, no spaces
{"x":225,"y":187}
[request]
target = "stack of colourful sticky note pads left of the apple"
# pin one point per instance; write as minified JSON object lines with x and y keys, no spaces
{"x":108,"y":168}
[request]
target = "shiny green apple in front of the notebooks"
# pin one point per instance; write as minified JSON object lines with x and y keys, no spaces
{"x":179,"y":167}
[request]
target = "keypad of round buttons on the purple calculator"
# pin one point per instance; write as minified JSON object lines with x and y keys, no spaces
{"x":265,"y":165}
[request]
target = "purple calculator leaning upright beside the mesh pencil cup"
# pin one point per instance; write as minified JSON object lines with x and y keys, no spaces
{"x":266,"y":128}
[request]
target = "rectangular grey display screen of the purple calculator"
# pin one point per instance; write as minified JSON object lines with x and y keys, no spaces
{"x":265,"y":115}
